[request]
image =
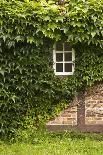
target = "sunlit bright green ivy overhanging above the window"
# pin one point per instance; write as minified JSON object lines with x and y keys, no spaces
{"x":77,"y":20}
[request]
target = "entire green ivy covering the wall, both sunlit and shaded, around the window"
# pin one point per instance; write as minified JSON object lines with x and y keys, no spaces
{"x":30,"y":93}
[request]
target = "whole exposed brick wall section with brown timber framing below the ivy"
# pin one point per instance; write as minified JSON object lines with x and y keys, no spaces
{"x":86,"y":111}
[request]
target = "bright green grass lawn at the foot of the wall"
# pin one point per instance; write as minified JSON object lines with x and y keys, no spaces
{"x":44,"y":143}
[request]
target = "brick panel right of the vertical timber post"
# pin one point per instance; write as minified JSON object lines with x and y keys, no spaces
{"x":94,"y":105}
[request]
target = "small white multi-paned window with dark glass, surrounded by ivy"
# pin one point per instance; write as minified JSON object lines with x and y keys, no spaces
{"x":63,"y":57}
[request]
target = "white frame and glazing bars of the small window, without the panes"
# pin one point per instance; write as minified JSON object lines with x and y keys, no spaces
{"x":54,"y":61}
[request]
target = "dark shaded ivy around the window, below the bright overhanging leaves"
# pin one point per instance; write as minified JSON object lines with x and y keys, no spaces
{"x":30,"y":93}
